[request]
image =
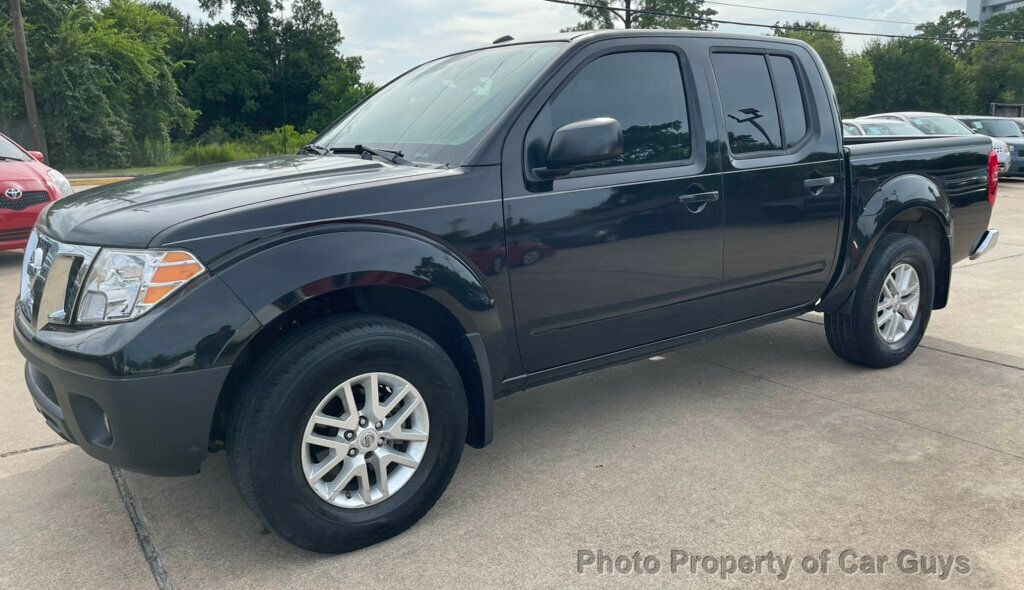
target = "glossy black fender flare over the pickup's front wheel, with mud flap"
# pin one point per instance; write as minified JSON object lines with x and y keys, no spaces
{"x":276,"y":276}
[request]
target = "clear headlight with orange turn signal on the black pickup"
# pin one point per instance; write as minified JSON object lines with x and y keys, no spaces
{"x":124,"y":284}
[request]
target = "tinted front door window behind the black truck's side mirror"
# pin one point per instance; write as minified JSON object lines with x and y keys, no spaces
{"x":644,"y":92}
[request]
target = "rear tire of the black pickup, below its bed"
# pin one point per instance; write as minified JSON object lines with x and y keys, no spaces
{"x":857,"y":336}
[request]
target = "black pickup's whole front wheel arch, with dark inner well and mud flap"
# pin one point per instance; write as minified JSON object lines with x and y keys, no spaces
{"x":397,"y":275}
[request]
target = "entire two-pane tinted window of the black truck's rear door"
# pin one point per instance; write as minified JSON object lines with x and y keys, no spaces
{"x":763,"y":101}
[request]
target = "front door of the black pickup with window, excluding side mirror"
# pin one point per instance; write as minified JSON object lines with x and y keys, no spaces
{"x":626,"y":252}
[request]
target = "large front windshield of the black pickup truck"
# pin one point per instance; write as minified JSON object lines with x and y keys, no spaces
{"x":440,"y":112}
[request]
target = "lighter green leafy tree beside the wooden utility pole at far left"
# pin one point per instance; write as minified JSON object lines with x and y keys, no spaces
{"x":104,"y":82}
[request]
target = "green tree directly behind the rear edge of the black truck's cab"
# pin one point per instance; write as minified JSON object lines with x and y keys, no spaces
{"x":852,"y":75}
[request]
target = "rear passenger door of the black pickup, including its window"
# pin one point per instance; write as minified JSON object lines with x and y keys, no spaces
{"x":783,"y":179}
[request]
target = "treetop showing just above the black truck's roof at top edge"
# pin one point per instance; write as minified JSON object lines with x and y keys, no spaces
{"x":646,"y":15}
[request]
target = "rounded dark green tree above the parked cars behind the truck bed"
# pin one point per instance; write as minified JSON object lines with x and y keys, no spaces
{"x":917,"y":75}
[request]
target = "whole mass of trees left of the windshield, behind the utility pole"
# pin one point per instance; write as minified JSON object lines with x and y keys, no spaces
{"x":118,"y":80}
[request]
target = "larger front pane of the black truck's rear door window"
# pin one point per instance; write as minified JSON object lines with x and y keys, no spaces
{"x":749,"y":101}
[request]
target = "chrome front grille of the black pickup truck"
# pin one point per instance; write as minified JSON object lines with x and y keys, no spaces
{"x":52,"y":278}
